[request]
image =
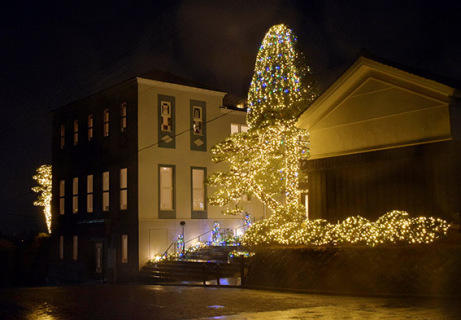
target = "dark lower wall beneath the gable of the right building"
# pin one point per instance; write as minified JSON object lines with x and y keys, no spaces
{"x":422,"y":180}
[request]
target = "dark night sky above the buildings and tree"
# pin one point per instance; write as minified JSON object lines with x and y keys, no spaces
{"x":54,"y":52}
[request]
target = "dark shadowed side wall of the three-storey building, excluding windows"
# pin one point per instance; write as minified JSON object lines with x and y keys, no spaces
{"x":116,"y":151}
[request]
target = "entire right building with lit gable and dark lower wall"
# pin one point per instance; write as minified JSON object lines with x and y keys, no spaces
{"x":384,"y":139}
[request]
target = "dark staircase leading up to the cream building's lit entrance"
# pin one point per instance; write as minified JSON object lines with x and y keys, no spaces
{"x":207,"y":266}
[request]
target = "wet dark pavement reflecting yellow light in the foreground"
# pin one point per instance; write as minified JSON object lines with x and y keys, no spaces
{"x":175,"y":302}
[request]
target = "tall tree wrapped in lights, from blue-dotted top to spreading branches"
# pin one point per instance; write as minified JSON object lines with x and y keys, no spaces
{"x":265,"y":161}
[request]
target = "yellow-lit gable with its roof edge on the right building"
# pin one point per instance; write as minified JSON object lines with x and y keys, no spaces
{"x":376,"y":106}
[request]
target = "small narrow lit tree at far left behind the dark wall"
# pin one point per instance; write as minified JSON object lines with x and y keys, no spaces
{"x":43,"y":178}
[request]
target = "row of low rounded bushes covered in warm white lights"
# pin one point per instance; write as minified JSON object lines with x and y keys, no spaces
{"x":391,"y":228}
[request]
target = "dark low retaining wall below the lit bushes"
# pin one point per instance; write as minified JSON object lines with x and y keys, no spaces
{"x":414,"y":270}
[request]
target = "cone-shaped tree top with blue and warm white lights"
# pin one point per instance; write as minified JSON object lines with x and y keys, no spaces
{"x":282,"y":85}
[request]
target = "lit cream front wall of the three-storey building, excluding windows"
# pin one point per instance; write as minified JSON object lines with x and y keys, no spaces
{"x":157,"y":231}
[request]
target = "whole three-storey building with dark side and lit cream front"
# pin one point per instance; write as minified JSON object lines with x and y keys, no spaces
{"x":129,"y":170}
